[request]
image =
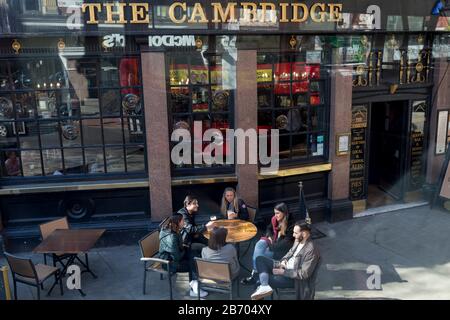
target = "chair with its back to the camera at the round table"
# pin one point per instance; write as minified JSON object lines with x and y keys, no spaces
{"x":215,"y":276}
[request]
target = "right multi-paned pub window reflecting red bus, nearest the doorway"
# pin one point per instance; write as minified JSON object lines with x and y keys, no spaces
{"x":292,"y":97}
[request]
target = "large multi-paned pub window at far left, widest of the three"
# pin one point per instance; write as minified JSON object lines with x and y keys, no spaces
{"x":68,"y":116}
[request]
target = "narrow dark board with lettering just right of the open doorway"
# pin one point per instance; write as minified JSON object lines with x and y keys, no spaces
{"x":417,"y":140}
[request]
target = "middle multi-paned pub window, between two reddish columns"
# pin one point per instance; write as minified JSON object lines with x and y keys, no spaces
{"x":201,"y":91}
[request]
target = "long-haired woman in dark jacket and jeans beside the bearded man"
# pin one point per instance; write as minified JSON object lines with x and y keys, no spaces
{"x":277,"y":241}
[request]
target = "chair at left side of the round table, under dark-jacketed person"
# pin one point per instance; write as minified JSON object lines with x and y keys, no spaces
{"x":149,"y":249}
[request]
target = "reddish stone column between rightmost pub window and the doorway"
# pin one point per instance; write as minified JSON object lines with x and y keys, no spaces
{"x":340,"y":123}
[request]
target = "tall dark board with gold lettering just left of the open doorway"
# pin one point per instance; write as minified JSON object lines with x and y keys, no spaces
{"x":358,"y":153}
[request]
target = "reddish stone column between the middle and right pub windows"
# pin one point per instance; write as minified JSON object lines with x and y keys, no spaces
{"x":246,"y":117}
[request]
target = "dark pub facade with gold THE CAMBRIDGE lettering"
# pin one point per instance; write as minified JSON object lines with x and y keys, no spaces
{"x":92,"y":91}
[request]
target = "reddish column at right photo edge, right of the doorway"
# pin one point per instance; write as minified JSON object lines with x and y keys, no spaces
{"x":441,"y":99}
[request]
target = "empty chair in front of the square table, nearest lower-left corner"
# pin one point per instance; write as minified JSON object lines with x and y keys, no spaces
{"x":24,"y":271}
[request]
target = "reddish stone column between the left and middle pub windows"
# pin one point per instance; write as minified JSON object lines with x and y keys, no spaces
{"x":157,"y":134}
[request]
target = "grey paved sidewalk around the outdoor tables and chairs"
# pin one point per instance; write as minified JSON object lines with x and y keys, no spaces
{"x":412,"y":248}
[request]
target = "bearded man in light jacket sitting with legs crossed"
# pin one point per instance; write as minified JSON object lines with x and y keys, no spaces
{"x":299,"y":263}
